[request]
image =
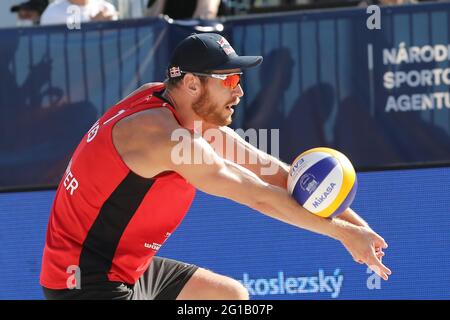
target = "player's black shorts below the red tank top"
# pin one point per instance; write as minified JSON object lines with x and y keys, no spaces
{"x":163,"y":280}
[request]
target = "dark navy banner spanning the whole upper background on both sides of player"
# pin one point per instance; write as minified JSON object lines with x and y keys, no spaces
{"x":378,"y":95}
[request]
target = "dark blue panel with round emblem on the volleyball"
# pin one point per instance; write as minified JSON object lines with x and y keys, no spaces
{"x":312,"y":178}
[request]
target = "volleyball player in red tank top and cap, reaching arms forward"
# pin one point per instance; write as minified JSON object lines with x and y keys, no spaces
{"x":123,"y":192}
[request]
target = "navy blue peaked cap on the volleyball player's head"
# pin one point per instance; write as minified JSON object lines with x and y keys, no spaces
{"x":205,"y":52}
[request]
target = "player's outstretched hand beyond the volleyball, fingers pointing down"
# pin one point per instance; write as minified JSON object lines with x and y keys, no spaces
{"x":366,"y":246}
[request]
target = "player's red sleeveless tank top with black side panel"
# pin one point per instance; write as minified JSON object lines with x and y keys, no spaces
{"x":106,"y":222}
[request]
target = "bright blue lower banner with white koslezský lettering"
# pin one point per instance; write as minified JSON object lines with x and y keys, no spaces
{"x":275,"y":260}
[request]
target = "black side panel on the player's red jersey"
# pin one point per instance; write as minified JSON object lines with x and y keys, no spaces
{"x":103,"y":238}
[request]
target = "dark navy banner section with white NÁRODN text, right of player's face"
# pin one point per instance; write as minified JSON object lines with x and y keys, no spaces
{"x":378,"y":95}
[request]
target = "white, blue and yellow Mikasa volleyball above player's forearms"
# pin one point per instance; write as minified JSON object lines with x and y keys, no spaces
{"x":323,"y":181}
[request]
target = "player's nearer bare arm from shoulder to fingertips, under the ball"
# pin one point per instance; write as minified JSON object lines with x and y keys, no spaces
{"x":152,"y":153}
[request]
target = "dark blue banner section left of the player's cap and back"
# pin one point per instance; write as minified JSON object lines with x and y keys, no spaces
{"x":56,"y":82}
